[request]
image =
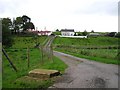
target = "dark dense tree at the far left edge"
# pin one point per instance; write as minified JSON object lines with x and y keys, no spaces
{"x":6,"y":32}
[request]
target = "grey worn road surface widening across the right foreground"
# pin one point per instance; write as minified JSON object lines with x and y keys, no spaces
{"x":83,"y":73}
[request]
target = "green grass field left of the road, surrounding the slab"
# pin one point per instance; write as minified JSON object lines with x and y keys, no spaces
{"x":18,"y":55}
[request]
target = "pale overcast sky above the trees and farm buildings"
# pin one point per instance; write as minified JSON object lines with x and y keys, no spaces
{"x":80,"y":15}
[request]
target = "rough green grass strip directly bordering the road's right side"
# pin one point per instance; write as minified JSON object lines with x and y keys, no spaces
{"x":107,"y":56}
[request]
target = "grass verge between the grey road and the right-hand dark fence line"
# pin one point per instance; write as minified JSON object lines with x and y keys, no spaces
{"x":92,"y":56}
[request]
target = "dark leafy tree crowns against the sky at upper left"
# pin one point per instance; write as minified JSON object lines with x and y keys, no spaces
{"x":18,"y":24}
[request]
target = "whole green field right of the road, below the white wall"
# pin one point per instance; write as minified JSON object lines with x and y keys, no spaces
{"x":102,"y":49}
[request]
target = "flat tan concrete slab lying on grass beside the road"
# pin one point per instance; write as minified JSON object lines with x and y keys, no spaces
{"x":43,"y":73}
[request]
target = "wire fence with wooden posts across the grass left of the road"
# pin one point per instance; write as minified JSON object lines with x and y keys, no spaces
{"x":29,"y":57}
